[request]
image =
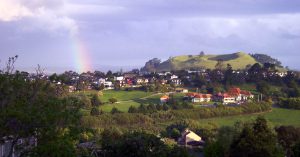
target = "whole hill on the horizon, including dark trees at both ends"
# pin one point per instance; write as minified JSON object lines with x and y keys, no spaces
{"x":238,"y":60}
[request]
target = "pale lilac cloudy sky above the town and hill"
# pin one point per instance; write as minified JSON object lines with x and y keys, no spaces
{"x":91,"y":35}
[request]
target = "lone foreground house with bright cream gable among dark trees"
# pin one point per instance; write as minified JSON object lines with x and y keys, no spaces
{"x":189,"y":138}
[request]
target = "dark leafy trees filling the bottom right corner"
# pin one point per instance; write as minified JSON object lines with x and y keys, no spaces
{"x":254,"y":139}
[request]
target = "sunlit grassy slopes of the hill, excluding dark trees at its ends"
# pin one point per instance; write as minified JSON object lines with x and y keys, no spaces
{"x":237,"y":60}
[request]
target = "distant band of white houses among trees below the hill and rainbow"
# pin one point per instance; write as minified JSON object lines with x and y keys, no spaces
{"x":136,"y":79}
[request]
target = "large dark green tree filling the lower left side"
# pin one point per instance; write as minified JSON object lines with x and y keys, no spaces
{"x":32,"y":108}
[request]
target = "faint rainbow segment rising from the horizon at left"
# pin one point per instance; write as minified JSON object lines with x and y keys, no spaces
{"x":81,"y":54}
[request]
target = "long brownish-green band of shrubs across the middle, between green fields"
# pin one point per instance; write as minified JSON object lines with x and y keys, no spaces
{"x":147,"y":121}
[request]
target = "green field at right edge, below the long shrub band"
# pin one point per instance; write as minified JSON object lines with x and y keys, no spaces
{"x":278,"y":116}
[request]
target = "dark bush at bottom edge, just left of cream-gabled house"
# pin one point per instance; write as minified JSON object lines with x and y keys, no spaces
{"x":139,"y":144}
